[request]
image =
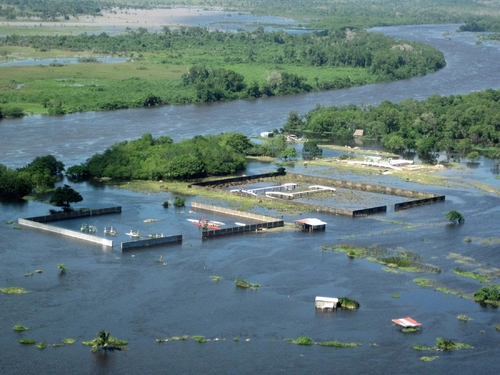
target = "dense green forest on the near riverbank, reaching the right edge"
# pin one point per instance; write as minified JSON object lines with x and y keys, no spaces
{"x":458,"y":123}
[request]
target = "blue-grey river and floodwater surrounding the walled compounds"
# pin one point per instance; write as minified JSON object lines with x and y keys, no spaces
{"x":136,"y":298}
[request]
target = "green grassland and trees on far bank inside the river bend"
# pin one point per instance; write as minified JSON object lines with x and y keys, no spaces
{"x":217,"y":66}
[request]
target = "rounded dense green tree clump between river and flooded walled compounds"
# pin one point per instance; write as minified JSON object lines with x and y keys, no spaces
{"x":160,"y":158}
